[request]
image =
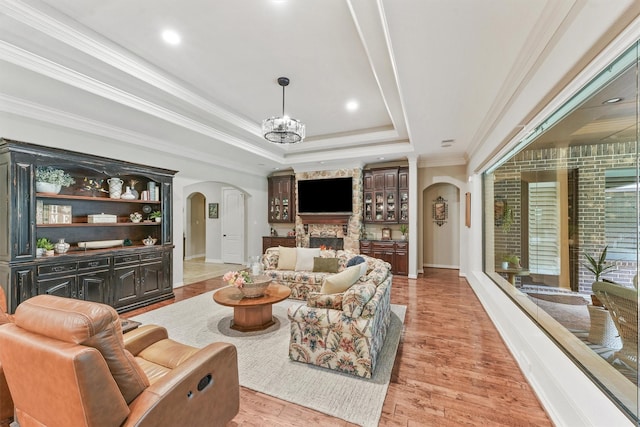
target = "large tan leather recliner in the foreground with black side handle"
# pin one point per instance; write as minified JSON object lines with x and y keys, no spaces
{"x":68,"y":364}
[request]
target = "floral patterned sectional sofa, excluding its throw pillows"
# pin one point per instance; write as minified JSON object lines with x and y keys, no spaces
{"x":341,"y":331}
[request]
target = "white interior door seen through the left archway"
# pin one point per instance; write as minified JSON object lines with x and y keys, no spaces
{"x":232,"y":212}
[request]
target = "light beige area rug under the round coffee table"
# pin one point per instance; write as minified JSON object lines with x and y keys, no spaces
{"x":264,"y":364}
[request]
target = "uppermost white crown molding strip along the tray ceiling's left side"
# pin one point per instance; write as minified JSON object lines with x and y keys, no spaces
{"x":112,"y":55}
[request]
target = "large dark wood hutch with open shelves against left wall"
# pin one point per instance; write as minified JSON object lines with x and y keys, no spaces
{"x":126,"y":276}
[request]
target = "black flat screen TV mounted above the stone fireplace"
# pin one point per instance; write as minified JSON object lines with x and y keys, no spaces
{"x":330,"y":195}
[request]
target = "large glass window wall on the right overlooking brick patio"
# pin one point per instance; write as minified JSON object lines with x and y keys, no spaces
{"x":561,"y":228}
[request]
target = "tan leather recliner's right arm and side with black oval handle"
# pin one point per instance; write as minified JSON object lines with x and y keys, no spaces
{"x":203,"y":390}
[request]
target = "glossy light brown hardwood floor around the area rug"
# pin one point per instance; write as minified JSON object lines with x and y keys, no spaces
{"x":452,"y":367}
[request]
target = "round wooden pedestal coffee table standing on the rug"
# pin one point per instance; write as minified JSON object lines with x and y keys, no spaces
{"x":251,"y":314}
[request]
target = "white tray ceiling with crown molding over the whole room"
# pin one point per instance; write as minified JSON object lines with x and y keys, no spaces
{"x":423,"y":71}
